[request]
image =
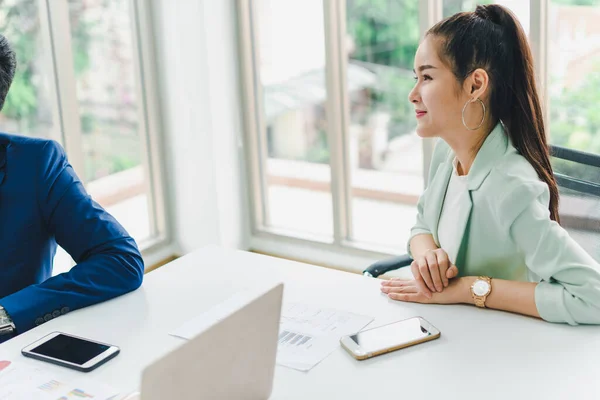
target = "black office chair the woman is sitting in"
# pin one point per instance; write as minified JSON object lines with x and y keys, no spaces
{"x":578,"y":176}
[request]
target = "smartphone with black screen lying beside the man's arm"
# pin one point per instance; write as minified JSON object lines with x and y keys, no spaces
{"x":71,"y":351}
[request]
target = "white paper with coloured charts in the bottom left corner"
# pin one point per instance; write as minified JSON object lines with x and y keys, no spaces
{"x":22,"y":382}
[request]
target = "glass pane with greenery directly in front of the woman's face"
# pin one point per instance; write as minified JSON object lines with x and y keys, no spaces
{"x":386,"y":154}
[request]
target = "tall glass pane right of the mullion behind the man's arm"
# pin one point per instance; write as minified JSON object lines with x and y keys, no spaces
{"x":108,"y":105}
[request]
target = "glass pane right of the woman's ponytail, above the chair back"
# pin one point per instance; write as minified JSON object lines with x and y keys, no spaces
{"x":574,"y":74}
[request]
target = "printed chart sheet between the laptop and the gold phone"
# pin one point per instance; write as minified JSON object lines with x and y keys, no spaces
{"x":308,"y":334}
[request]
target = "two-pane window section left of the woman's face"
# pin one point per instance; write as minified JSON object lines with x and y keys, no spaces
{"x":334,"y":156}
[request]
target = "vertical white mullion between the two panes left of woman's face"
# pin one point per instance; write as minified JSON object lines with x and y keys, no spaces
{"x":337,"y":117}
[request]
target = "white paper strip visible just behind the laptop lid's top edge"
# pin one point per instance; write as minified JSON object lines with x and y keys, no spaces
{"x":217,"y":313}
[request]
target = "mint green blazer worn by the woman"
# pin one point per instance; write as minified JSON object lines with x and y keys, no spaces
{"x":507,"y":232}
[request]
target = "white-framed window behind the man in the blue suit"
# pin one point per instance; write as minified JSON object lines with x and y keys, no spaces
{"x":79,"y":81}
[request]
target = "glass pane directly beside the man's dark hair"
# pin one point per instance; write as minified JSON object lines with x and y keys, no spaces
{"x":28,"y":109}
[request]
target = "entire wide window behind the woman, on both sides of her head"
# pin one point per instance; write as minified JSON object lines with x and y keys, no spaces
{"x":343,"y":155}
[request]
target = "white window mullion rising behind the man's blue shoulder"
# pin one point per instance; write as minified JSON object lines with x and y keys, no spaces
{"x":60,"y":36}
